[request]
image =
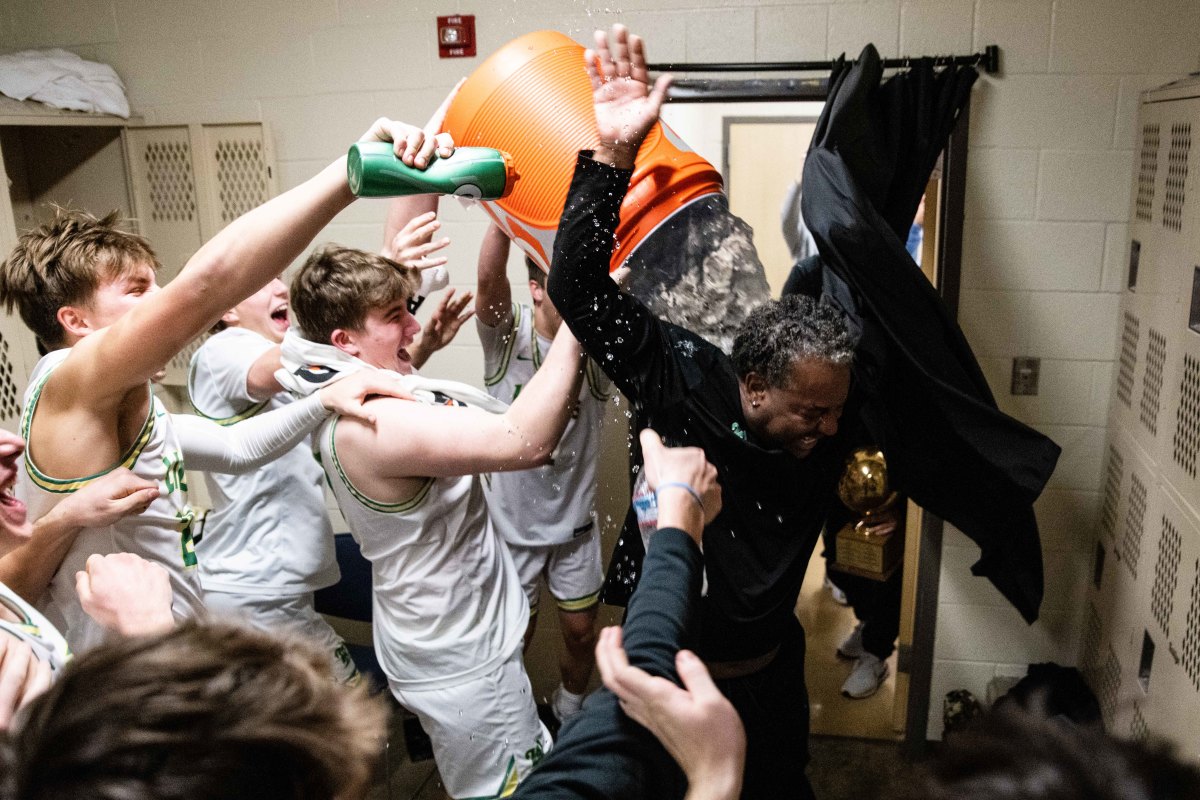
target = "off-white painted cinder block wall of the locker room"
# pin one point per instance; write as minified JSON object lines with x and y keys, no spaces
{"x":1052,"y":153}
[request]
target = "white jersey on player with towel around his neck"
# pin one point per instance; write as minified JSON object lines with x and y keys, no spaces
{"x":448,"y":604}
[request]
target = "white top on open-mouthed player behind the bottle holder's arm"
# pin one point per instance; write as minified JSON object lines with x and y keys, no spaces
{"x":269,"y":532}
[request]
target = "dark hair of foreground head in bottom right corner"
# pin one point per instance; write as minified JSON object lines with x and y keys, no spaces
{"x":1015,"y":755}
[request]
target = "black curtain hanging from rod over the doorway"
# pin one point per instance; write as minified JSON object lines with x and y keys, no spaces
{"x":926,"y":401}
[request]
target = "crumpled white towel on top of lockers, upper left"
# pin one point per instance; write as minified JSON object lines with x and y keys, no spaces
{"x":63,"y":80}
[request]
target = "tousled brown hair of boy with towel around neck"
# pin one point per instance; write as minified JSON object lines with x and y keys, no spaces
{"x":338,"y":287}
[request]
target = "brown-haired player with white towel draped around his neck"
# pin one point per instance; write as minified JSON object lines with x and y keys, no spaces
{"x":449,"y":611}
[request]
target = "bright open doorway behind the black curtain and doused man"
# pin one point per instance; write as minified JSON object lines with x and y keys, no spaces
{"x":761,"y":149}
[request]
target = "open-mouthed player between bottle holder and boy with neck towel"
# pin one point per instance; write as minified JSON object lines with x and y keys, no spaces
{"x":268,"y":543}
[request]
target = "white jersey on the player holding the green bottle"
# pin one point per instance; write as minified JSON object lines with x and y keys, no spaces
{"x":161,"y":534}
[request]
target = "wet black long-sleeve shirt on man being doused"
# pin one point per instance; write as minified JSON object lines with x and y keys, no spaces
{"x":775,"y":504}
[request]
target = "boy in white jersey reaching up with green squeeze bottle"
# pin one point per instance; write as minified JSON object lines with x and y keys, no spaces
{"x":88,"y":290}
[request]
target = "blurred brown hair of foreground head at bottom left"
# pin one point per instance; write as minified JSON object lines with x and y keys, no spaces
{"x":207,"y":711}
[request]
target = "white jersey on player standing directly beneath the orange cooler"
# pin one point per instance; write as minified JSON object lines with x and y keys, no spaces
{"x":551,"y":504}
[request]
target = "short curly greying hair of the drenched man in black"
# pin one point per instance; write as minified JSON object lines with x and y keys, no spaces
{"x":795,"y":328}
